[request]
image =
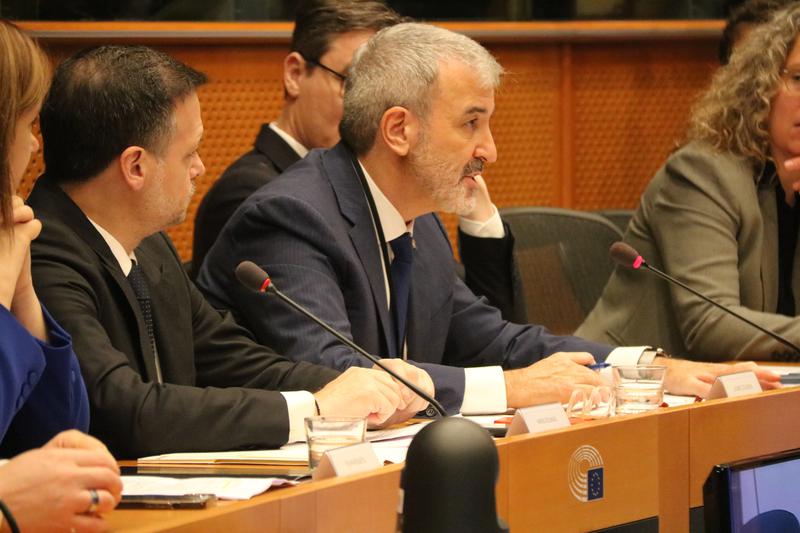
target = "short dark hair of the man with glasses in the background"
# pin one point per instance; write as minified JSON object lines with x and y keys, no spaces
{"x":318,"y":22}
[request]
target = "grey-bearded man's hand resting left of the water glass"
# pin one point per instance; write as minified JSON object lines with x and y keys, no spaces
{"x":550,"y":380}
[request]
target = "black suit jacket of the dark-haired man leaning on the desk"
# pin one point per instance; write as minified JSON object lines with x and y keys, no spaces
{"x":219,"y":386}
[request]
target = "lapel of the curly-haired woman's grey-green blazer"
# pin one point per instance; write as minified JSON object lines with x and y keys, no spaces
{"x":769,"y":251}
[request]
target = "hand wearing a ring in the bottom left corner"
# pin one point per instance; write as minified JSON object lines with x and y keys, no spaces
{"x":49,"y":488}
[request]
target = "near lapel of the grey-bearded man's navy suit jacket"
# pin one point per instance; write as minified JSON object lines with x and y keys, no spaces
{"x":341,"y":169}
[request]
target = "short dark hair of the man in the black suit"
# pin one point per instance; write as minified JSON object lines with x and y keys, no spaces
{"x":103,"y":100}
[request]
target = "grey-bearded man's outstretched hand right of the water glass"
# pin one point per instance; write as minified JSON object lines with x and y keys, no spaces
{"x":691,"y":378}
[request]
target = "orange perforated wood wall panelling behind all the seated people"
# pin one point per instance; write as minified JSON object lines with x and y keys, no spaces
{"x":581,"y":125}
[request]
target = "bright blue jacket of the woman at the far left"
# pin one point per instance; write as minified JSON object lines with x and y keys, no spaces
{"x":41,"y":389}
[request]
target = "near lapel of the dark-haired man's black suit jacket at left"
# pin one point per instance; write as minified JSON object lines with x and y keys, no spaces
{"x":52,"y":198}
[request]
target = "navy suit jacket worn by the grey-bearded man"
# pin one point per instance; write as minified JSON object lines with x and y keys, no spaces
{"x":312,"y":231}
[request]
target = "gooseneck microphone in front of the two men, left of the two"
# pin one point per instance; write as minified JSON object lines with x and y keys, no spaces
{"x":255,"y":278}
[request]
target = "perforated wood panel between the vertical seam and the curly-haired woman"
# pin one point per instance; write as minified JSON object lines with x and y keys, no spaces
{"x":631,"y":107}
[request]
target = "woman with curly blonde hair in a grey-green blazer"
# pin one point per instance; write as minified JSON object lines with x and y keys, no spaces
{"x":722,"y":216}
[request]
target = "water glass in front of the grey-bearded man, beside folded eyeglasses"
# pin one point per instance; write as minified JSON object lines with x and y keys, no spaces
{"x":638,"y":388}
